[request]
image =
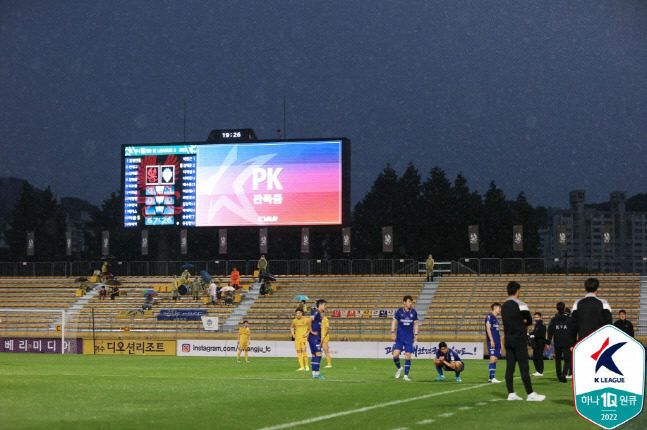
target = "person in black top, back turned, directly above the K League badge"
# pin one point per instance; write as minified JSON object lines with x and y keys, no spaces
{"x":589,"y":313}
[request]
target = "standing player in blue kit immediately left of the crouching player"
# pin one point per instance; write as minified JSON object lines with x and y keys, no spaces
{"x":405,"y":320}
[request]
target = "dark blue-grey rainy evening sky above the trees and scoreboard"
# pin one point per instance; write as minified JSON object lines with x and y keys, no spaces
{"x":544,"y":97}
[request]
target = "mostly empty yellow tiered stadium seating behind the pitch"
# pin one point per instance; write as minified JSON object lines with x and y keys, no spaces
{"x":356,"y":304}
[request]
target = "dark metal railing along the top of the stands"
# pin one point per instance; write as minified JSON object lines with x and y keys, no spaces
{"x":485,"y":266}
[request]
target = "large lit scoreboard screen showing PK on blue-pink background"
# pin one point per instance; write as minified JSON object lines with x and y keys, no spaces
{"x":260,"y":183}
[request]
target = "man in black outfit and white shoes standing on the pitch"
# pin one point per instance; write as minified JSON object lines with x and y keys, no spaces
{"x":516,"y":317}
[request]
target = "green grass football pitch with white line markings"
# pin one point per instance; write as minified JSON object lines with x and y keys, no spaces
{"x":40,"y":391}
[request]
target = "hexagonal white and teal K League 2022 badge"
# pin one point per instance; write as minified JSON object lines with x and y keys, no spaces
{"x":609,"y":377}
